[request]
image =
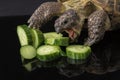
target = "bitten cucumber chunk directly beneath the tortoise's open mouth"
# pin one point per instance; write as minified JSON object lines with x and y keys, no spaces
{"x":52,"y":38}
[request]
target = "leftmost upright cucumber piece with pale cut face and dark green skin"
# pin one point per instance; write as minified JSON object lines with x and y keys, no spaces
{"x":24,"y":35}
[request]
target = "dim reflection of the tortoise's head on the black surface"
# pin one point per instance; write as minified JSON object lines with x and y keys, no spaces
{"x":71,"y":70}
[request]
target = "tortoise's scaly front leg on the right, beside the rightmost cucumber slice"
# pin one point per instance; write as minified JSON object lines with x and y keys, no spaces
{"x":98,"y":23}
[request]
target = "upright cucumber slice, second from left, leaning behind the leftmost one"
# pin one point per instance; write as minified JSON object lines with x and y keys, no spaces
{"x":38,"y":37}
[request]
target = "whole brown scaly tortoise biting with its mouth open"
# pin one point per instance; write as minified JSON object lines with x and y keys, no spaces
{"x":97,"y":16}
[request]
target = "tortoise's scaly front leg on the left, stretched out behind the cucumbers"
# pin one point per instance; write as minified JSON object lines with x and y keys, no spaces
{"x":44,"y":13}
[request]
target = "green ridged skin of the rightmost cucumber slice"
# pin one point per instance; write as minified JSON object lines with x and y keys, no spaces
{"x":79,"y":56}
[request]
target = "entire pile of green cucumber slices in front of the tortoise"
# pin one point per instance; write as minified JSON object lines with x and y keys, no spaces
{"x":47,"y":46}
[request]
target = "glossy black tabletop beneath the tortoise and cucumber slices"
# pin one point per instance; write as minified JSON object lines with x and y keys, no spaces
{"x":107,"y":55}
